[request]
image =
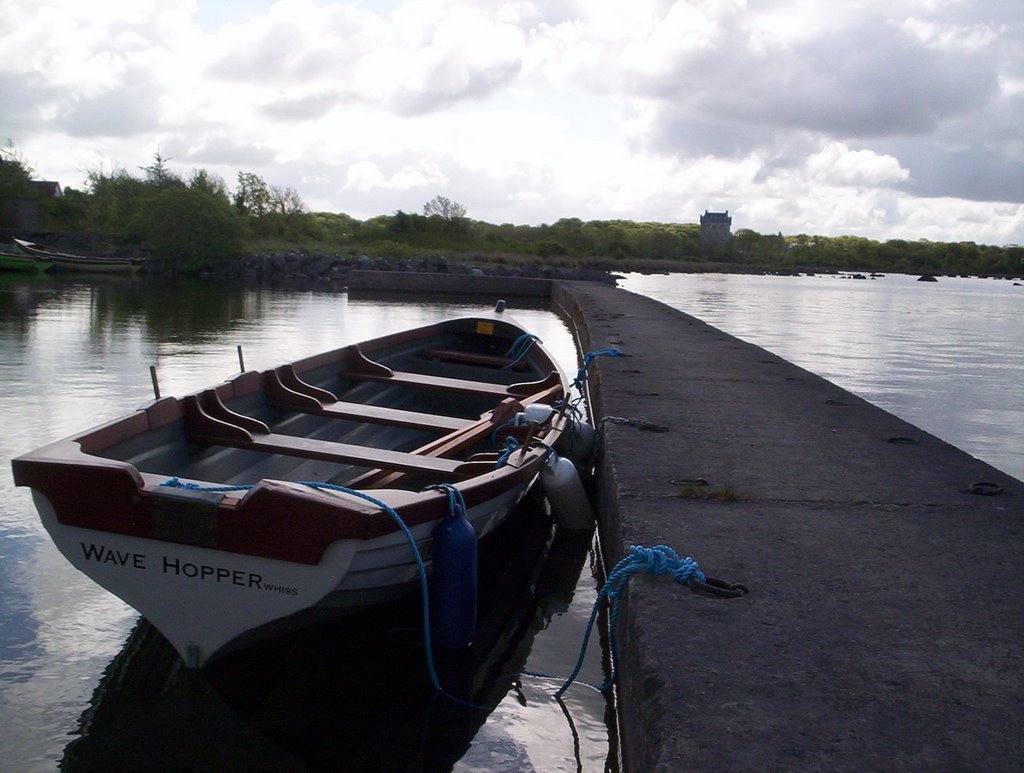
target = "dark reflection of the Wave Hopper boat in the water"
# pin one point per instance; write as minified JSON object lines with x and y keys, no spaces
{"x":335,"y":698}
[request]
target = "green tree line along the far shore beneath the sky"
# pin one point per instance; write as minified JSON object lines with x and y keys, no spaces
{"x":198,"y":222}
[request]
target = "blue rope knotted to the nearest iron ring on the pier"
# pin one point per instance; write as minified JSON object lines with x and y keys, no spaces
{"x":658,"y":561}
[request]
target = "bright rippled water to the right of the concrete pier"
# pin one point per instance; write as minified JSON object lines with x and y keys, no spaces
{"x":948,"y":357}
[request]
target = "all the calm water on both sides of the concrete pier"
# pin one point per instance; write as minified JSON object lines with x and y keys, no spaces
{"x":75,"y":669}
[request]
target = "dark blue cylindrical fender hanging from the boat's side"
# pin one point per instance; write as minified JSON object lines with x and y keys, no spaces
{"x":454,"y":580}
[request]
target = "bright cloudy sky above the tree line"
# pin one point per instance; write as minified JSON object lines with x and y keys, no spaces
{"x":894,"y":119}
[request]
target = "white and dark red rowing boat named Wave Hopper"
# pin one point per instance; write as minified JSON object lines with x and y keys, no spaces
{"x":275,"y":499}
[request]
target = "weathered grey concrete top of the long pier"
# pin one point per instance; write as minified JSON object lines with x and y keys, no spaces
{"x":884,"y":627}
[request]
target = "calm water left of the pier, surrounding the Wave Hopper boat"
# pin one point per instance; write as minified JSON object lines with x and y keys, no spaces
{"x":76,"y":355}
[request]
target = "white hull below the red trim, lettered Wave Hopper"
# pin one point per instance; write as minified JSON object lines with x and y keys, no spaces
{"x":203,"y":600}
